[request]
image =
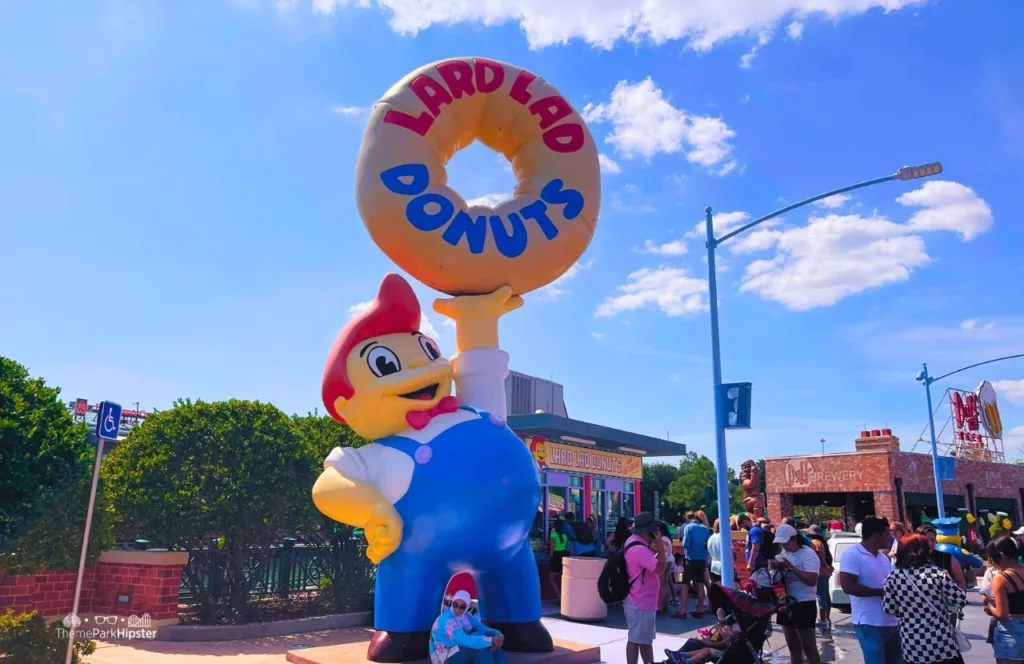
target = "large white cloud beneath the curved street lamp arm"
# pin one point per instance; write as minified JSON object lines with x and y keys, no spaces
{"x":840,"y":256}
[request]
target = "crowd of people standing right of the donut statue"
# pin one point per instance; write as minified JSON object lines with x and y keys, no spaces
{"x":907,"y":597}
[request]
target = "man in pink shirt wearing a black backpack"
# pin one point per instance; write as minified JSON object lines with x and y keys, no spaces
{"x":633,"y":577}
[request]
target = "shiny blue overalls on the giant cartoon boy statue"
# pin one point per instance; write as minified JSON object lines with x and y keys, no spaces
{"x":471,"y":506}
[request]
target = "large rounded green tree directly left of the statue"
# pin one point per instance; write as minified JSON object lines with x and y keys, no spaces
{"x":231,"y":477}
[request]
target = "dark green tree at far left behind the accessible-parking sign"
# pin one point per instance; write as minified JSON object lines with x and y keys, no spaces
{"x":48,"y":471}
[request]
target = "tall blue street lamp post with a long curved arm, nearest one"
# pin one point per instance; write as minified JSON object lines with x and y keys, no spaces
{"x":906,"y":174}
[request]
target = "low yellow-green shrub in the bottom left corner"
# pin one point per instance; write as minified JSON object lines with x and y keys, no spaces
{"x":28,"y":639}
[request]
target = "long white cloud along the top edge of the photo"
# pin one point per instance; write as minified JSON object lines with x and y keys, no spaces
{"x":701,"y":24}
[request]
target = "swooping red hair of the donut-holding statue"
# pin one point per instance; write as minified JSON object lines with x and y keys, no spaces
{"x":396,"y":311}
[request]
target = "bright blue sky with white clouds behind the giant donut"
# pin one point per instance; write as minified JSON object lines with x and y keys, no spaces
{"x":178,"y":215}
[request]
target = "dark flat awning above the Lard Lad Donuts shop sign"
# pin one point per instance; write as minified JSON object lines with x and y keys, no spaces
{"x":556,"y":428}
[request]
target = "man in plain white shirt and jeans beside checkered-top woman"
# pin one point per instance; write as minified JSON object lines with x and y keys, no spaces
{"x":863,"y":574}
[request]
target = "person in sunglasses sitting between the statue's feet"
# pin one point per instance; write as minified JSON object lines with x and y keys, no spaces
{"x":459,"y":637}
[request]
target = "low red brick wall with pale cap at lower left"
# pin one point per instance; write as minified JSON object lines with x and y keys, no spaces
{"x":151,"y":579}
